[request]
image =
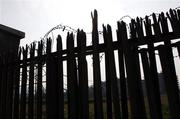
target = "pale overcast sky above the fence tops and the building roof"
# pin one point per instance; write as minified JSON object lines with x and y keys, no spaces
{"x":36,"y":17}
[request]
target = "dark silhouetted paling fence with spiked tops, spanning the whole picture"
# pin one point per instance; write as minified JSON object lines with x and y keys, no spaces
{"x":26,"y":93}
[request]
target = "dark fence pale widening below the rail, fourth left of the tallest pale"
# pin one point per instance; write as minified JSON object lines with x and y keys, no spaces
{"x":52,"y":83}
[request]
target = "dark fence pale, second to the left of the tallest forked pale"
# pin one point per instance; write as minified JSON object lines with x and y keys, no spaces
{"x":71,"y":79}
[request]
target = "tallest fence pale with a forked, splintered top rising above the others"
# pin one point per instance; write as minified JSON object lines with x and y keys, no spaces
{"x":96,"y":69}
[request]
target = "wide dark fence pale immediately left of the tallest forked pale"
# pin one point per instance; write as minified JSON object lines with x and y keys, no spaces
{"x":83,"y":76}
